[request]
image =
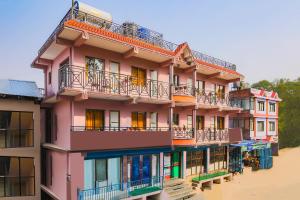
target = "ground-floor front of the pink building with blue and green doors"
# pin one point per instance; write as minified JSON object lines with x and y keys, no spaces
{"x":122,"y":174}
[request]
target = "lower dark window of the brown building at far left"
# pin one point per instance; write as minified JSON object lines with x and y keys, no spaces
{"x":17,"y":176}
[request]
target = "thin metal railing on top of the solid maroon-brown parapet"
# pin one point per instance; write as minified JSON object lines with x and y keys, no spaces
{"x":107,"y":129}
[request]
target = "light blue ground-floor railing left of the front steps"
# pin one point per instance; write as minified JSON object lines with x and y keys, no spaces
{"x":123,"y":190}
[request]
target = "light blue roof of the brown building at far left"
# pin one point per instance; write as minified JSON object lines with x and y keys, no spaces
{"x":19,"y":88}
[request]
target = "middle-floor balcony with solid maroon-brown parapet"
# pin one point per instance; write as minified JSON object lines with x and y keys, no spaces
{"x":108,"y":138}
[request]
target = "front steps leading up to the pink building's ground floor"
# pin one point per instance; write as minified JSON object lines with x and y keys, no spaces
{"x":178,"y":189}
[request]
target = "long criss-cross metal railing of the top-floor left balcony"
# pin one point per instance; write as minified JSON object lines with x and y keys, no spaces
{"x":76,"y":77}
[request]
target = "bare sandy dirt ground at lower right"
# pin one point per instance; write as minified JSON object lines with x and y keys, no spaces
{"x":282,"y":182}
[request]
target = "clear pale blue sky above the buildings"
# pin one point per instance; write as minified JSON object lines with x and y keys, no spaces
{"x":262,"y":37}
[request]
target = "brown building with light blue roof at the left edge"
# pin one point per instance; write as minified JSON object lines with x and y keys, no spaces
{"x":19,"y":140}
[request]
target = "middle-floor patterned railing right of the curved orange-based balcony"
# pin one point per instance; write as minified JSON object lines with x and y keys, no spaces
{"x":212,"y":135}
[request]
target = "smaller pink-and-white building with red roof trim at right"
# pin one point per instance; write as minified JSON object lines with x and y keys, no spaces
{"x":259,"y":117}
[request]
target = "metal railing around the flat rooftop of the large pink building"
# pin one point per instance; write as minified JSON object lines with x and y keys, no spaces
{"x":131,"y":30}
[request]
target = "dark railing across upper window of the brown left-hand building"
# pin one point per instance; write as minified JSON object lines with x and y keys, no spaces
{"x":12,"y":138}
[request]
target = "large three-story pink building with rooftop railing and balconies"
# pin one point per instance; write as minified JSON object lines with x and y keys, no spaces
{"x":125,"y":110}
